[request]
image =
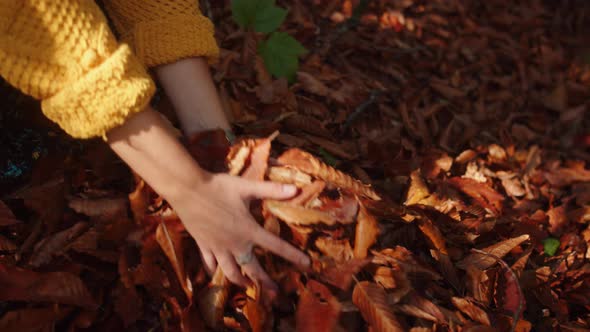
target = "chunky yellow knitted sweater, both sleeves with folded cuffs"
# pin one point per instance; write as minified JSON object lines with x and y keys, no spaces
{"x":63,"y":53}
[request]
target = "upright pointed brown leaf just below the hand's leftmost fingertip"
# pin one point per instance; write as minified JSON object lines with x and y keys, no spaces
{"x":212,"y":299}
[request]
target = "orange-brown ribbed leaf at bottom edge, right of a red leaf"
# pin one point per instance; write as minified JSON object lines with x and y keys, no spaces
{"x":371,"y":300}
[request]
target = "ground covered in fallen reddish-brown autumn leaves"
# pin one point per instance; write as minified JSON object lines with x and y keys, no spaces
{"x":445,"y":186}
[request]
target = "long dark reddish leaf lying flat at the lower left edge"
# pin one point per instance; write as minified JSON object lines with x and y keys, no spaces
{"x":60,"y":287}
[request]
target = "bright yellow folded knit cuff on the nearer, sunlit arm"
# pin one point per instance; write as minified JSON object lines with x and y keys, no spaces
{"x":103,"y":98}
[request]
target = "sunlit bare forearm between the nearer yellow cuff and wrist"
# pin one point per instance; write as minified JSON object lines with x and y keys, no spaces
{"x":145,"y":143}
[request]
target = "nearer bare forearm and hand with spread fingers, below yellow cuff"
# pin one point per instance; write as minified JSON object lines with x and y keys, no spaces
{"x":213,"y":207}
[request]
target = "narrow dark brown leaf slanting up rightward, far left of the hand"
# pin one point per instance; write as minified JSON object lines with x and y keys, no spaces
{"x":56,"y":244}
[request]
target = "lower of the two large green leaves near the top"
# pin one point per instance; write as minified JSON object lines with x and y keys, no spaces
{"x":280,"y":53}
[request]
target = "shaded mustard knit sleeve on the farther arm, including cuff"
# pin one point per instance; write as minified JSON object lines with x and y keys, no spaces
{"x":162,"y":31}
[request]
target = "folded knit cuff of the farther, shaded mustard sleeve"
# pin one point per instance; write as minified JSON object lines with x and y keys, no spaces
{"x":182,"y":36}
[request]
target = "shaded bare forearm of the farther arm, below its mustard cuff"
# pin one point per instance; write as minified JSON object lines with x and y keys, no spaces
{"x":189,"y":86}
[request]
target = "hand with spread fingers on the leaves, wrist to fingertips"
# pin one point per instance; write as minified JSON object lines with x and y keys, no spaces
{"x":216,"y":213}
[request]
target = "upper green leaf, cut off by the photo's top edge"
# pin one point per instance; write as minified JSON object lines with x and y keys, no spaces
{"x":260,"y":15}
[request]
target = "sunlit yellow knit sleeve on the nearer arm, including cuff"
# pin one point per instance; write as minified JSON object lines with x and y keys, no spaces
{"x":63,"y":53}
